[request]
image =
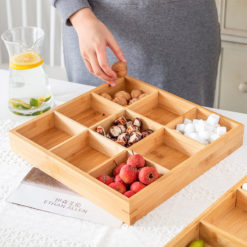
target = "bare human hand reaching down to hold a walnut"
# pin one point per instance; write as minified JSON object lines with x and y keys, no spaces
{"x":94,"y":37}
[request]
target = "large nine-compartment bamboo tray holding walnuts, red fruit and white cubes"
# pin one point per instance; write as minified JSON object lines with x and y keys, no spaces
{"x":63,"y":143}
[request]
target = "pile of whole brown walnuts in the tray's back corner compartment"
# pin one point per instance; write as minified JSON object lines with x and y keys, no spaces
{"x":124,"y":98}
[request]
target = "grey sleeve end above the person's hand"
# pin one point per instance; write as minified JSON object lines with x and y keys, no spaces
{"x":68,"y":8}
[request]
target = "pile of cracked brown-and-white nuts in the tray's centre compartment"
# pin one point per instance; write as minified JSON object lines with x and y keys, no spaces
{"x":125,"y":132}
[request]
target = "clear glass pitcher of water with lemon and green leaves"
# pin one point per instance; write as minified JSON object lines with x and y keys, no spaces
{"x":29,"y":90}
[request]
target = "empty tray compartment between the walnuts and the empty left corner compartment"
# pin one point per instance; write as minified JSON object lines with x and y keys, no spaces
{"x":89,"y":109}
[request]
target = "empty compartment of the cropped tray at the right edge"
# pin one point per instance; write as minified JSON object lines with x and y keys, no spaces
{"x":231,"y":215}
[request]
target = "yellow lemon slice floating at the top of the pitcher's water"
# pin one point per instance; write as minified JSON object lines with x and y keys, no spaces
{"x":27,"y":60}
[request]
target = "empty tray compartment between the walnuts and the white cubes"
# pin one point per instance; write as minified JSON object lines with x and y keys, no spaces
{"x":162,"y":107}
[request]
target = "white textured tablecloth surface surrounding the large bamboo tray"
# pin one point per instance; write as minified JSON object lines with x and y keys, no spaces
{"x":21,"y":226}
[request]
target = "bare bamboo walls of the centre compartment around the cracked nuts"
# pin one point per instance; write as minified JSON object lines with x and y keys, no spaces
{"x":128,"y":114}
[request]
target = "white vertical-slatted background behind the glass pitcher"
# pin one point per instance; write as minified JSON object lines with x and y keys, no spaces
{"x":40,"y":13}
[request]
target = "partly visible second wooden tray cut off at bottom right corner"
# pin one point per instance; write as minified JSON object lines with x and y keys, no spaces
{"x":224,"y":224}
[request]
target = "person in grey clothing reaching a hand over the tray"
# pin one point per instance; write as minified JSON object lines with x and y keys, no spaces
{"x":172,"y":44}
